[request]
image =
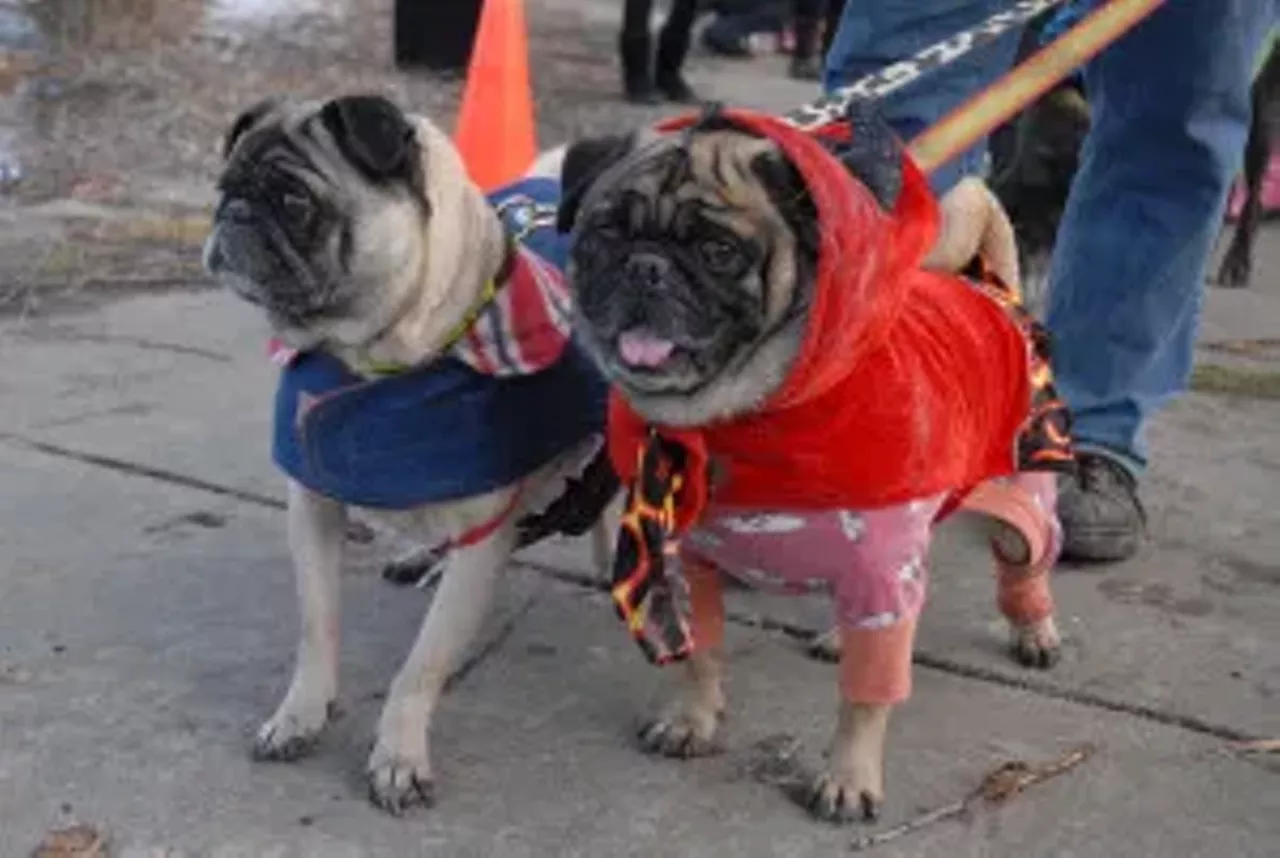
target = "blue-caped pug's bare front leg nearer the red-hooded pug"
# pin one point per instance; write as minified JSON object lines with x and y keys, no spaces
{"x":400,"y":769}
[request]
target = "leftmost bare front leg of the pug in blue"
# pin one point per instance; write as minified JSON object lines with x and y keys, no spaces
{"x":317,"y":536}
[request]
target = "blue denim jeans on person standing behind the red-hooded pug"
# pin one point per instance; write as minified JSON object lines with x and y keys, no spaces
{"x":1171,"y":118}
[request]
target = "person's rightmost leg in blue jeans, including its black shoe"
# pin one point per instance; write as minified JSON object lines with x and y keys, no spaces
{"x":1128,"y":270}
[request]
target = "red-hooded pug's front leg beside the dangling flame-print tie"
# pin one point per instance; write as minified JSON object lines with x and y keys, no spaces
{"x":689,"y":725}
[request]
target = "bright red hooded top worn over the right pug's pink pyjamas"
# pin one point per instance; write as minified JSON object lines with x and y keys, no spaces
{"x":908,"y":384}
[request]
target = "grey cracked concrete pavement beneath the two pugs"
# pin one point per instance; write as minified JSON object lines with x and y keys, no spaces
{"x":147,"y":624}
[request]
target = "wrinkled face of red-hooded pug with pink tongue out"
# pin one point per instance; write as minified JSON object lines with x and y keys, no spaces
{"x":692,"y":264}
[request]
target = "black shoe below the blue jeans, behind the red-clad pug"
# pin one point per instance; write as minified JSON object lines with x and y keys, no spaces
{"x":1103,"y":518}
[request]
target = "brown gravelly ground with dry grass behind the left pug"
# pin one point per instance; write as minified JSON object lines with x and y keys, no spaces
{"x":115,"y":111}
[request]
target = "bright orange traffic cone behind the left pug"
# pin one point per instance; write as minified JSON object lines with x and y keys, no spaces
{"x":496,"y":122}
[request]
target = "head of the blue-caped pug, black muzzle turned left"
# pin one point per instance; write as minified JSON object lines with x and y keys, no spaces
{"x":322,"y":213}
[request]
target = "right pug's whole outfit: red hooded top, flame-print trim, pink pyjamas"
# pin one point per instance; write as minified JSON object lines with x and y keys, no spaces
{"x":912,"y":390}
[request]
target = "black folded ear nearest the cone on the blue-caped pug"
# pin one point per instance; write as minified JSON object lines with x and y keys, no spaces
{"x":374,"y":135}
